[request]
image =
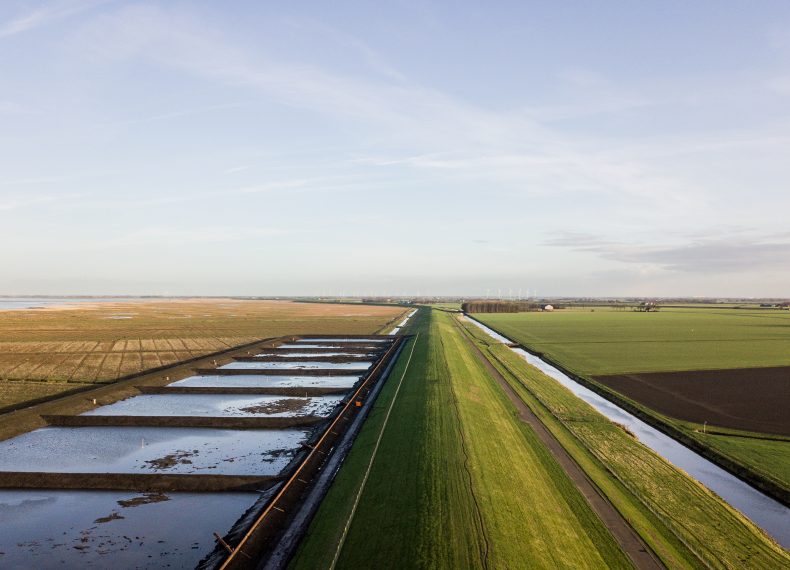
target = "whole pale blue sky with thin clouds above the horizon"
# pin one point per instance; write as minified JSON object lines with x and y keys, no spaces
{"x":572,"y":148}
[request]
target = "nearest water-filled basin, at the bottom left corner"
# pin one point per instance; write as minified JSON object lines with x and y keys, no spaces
{"x":46,"y":529}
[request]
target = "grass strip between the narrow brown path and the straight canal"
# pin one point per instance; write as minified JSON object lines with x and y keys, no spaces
{"x":670,"y":501}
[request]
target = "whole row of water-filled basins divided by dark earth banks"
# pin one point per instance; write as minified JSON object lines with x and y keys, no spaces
{"x":213,"y":432}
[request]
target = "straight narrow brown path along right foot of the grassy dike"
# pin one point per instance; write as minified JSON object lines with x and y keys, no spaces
{"x":624,"y":534}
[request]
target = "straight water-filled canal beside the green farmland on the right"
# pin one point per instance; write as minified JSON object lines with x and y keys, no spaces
{"x":768,"y":514}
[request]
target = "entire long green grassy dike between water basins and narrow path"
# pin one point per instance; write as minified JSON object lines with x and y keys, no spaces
{"x":458,"y":479}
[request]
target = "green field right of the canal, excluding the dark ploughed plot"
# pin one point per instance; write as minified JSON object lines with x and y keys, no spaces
{"x":608,"y":342}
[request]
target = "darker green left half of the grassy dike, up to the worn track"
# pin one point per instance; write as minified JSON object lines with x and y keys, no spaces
{"x":418,"y":509}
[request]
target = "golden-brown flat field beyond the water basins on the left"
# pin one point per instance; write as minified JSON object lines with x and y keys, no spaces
{"x":47,"y":351}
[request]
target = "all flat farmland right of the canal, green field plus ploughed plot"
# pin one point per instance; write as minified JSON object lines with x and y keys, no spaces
{"x":686,"y":366}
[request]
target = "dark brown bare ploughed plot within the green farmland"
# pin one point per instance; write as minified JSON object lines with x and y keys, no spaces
{"x":750,"y":399}
